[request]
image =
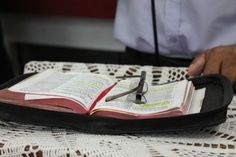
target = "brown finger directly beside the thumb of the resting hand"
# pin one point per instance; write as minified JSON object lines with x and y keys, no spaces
{"x":213,"y":63}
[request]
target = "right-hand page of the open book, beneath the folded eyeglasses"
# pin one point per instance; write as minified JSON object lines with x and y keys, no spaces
{"x":159,"y":98}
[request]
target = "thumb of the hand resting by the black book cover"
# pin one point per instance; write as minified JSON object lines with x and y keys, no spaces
{"x":197,"y":66}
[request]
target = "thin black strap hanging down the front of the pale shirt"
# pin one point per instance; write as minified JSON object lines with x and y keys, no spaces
{"x":154,"y":25}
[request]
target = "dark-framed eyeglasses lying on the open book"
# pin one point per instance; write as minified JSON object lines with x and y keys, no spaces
{"x":135,"y":94}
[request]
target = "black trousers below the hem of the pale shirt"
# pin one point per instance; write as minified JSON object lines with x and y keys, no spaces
{"x":133,"y":56}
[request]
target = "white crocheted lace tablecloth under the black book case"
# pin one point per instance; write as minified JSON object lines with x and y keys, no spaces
{"x":30,"y":140}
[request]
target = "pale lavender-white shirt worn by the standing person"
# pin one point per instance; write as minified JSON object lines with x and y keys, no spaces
{"x":185,"y":27}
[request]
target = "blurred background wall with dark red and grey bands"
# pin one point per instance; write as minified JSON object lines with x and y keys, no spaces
{"x":72,"y":30}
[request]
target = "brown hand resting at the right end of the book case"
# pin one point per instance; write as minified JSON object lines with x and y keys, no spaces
{"x":218,"y":60}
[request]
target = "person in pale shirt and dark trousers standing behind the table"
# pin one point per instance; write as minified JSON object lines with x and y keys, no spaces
{"x":198,"y":33}
